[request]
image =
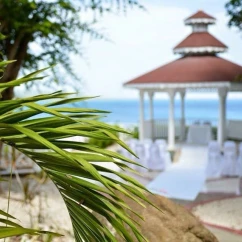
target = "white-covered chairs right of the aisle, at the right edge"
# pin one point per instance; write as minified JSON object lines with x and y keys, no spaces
{"x":225,"y":163}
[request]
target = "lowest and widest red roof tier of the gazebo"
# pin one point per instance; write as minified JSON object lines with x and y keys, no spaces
{"x":192,"y":69}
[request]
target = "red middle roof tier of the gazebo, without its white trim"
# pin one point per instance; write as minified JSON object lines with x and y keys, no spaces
{"x":200,"y":39}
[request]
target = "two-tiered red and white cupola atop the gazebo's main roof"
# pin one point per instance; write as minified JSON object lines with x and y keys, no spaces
{"x":200,"y":41}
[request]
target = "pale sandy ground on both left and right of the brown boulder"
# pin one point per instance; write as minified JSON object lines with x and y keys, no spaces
{"x":47,"y":210}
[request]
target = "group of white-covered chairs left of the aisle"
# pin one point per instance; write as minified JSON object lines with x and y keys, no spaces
{"x":152,"y":155}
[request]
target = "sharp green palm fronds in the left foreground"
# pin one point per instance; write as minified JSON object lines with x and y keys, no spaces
{"x":76,"y":168}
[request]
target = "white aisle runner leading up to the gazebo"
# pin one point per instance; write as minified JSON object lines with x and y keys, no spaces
{"x":184,"y":179}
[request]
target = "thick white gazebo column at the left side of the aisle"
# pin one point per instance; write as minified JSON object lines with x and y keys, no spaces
{"x":171,"y":125}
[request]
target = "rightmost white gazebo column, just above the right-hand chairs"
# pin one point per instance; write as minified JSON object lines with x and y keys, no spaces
{"x":222,"y":115}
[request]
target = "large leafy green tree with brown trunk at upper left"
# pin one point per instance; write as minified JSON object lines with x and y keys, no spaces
{"x":56,"y":28}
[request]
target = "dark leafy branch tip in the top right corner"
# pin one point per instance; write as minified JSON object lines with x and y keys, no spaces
{"x":234,"y":10}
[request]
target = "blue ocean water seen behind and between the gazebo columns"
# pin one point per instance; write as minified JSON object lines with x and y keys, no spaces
{"x":127,"y":111}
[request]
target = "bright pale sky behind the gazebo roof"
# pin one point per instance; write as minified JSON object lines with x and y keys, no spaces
{"x":143,"y":41}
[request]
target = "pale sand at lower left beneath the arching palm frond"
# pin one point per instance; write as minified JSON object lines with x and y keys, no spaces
{"x":46,"y":212}
